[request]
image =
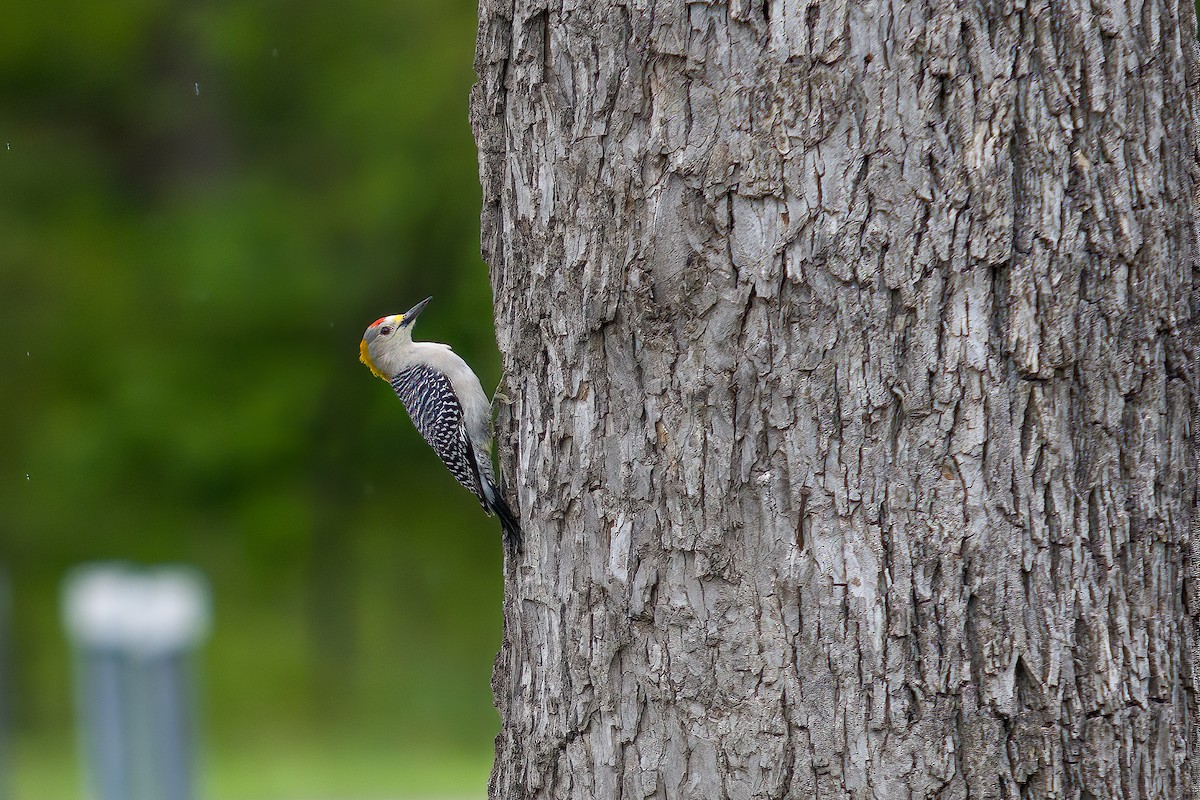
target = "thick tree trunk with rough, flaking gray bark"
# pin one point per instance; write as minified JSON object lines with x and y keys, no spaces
{"x":850,"y":400}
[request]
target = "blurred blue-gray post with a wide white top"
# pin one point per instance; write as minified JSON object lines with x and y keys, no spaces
{"x":133,"y":634}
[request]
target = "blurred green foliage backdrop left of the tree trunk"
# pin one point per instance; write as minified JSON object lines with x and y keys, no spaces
{"x":203,"y":206}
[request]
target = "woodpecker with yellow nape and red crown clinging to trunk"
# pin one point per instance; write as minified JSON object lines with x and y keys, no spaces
{"x":446,"y":402}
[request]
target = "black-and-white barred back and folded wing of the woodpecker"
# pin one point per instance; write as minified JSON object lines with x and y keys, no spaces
{"x":434,"y":407}
